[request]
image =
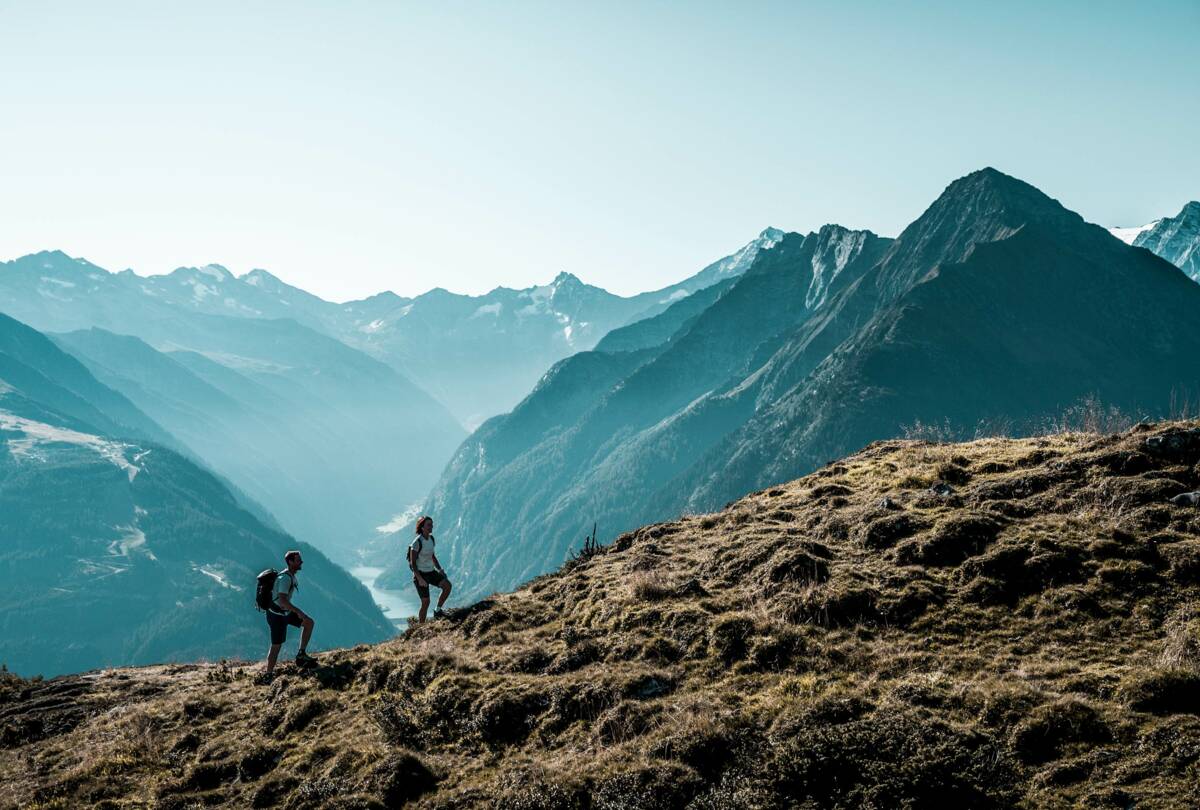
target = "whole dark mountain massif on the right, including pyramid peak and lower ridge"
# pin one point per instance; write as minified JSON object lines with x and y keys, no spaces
{"x":997,"y":305}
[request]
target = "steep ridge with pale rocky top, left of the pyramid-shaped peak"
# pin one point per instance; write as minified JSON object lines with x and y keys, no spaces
{"x":513,"y":513}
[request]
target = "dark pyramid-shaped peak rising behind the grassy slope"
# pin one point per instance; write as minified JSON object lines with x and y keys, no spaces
{"x":1031,"y":313}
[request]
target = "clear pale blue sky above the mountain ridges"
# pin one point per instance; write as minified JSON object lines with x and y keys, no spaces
{"x":357,"y":147}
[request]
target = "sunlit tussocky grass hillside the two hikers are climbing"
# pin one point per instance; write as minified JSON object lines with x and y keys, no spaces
{"x":1003,"y":623}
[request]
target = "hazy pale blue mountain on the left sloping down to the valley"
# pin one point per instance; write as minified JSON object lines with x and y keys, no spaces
{"x":313,"y":429}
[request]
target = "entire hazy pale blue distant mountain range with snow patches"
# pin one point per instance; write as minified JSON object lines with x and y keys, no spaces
{"x":310,"y":407}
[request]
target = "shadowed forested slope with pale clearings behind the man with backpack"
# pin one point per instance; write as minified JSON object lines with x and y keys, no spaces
{"x":121,"y":551}
